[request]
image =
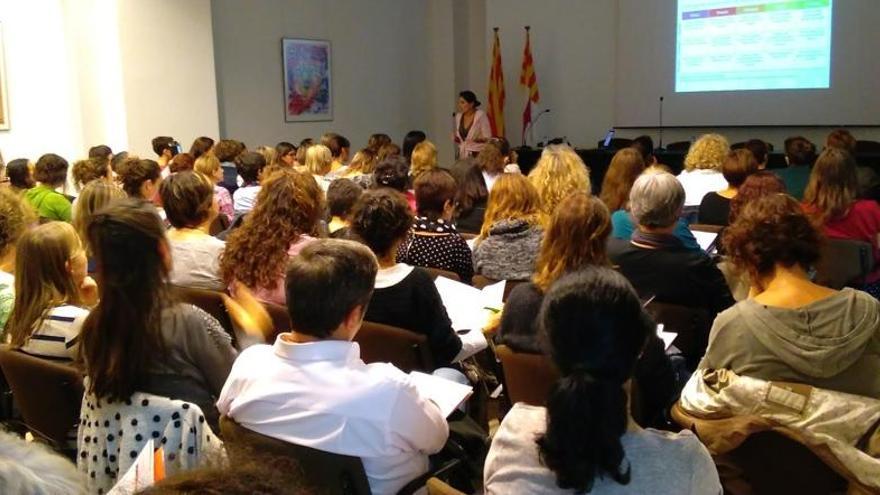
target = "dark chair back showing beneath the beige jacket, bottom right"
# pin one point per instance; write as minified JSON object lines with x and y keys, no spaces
{"x":769,"y":462}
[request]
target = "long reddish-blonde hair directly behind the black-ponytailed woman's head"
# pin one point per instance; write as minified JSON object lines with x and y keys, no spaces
{"x":576,"y":237}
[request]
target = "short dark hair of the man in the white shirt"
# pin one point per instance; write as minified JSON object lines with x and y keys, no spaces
{"x":325,"y":282}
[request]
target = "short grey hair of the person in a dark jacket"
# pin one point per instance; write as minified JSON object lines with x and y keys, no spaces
{"x":656,"y":199}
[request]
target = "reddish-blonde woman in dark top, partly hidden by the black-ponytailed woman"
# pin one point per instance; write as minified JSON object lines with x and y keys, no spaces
{"x":575,"y":239}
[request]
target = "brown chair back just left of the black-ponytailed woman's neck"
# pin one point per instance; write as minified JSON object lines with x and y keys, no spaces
{"x":527,"y":377}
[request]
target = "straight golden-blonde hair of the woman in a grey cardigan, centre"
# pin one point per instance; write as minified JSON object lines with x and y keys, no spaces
{"x":512,"y":197}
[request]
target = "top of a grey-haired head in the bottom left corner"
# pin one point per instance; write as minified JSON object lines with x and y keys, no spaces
{"x":34,"y":468}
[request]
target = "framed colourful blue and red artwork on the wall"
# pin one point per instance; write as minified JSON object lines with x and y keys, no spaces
{"x":308,"y":88}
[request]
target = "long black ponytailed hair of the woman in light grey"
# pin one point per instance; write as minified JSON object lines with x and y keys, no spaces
{"x":594,"y":328}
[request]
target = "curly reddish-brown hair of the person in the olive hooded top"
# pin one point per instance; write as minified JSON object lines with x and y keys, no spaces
{"x":772,"y":230}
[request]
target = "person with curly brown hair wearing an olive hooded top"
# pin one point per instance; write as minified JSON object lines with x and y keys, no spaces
{"x":790,"y":329}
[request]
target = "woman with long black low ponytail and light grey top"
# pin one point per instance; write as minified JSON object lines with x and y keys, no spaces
{"x":585,"y":439}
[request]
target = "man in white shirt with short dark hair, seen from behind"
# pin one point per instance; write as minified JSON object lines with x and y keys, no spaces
{"x":311,"y":388}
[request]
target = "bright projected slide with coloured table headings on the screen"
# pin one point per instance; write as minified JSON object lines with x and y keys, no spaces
{"x":727,"y":45}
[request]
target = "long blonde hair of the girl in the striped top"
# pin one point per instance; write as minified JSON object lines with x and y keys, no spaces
{"x":42,"y":277}
